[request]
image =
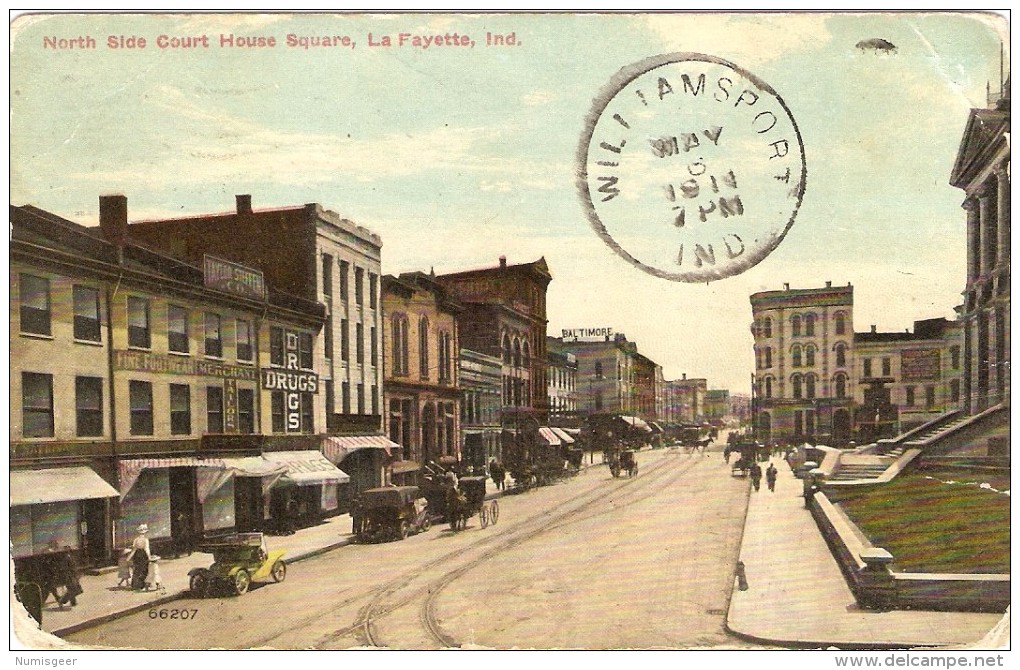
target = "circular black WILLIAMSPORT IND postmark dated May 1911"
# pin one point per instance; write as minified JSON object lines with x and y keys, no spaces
{"x":690,"y":168}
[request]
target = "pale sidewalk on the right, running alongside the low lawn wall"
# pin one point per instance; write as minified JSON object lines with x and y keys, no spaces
{"x":798,"y":597}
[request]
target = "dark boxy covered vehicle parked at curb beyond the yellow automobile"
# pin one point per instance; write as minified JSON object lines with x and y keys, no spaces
{"x":392,"y":513}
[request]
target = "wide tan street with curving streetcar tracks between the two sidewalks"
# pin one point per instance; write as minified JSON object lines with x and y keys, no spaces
{"x":589,"y":563}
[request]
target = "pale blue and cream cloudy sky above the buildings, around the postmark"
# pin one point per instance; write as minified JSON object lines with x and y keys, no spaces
{"x":457,"y":156}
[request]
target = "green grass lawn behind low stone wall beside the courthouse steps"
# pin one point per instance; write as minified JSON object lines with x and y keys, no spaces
{"x":931,"y":526}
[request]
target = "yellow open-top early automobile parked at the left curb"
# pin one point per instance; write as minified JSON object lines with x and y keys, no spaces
{"x":239,"y":559}
